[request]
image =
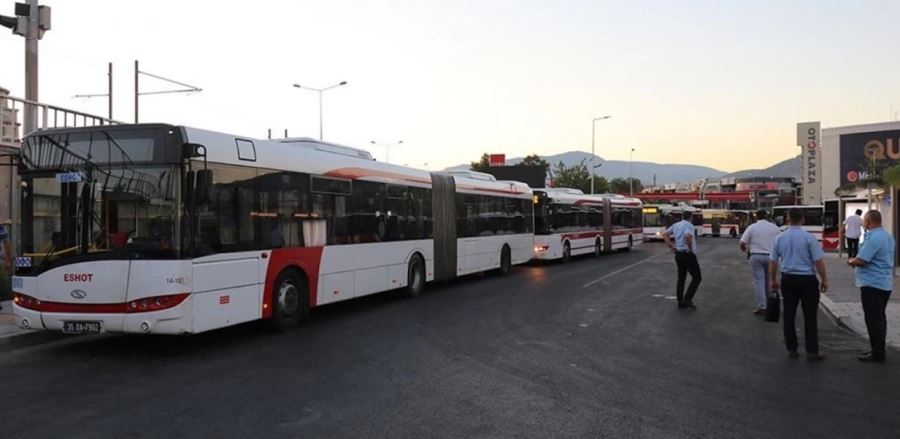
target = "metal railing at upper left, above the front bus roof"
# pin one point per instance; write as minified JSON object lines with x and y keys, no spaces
{"x":13,"y":110}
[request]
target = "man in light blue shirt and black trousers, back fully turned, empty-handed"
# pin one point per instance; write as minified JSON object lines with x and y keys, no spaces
{"x":797,"y":255}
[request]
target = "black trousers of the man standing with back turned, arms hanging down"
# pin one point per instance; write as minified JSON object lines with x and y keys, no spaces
{"x":802,"y":290}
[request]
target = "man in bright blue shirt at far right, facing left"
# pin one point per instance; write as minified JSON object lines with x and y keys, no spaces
{"x":875,"y":279}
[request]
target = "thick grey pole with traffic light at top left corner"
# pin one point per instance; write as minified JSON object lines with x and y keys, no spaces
{"x":30,"y":21}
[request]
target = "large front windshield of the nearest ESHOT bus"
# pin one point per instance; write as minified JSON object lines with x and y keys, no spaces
{"x":95,"y":195}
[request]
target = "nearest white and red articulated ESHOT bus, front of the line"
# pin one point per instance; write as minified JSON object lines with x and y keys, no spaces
{"x":167,"y":229}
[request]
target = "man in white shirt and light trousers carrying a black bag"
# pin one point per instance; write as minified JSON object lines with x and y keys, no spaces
{"x":758,"y":240}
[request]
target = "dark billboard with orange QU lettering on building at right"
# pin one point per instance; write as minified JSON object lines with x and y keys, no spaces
{"x":862,"y":152}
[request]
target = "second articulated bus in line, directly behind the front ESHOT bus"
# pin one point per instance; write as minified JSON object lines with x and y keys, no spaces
{"x":568,"y":223}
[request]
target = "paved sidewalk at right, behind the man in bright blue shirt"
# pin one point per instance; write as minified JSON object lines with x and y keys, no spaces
{"x":842,"y":302}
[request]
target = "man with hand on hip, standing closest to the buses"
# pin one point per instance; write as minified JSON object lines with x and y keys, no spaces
{"x":685,"y":249}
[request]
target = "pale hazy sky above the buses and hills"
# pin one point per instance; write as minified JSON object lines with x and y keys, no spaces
{"x":719,"y":83}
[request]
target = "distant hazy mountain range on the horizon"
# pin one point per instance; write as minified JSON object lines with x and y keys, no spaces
{"x":663,"y":173}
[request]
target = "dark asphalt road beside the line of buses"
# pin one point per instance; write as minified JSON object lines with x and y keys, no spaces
{"x":592,"y":348}
